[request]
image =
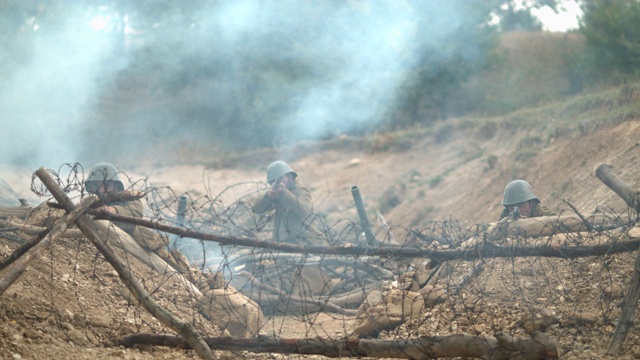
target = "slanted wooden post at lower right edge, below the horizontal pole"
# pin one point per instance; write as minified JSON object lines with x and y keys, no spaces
{"x":628,"y":313}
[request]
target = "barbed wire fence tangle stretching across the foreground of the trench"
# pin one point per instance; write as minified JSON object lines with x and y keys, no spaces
{"x":435,"y":283}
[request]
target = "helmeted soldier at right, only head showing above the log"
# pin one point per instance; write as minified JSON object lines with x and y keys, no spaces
{"x":520,"y":203}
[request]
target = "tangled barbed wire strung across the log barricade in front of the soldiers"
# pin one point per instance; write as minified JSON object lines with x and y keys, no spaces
{"x":575,"y":299}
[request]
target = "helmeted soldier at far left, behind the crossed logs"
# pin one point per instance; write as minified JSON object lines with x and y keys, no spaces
{"x":103,"y":179}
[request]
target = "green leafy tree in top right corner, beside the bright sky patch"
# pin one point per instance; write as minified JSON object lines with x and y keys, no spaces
{"x":612,"y":30}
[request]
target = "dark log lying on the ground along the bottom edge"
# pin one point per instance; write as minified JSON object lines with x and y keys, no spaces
{"x":483,"y":347}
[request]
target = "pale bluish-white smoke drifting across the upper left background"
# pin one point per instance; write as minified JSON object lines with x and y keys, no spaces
{"x":313,"y":68}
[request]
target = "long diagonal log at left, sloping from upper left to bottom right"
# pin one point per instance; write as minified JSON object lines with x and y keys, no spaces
{"x":184,"y":329}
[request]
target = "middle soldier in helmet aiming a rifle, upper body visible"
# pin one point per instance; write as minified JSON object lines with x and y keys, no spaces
{"x":291,"y":202}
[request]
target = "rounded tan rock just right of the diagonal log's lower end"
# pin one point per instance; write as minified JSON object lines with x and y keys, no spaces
{"x":232,"y":311}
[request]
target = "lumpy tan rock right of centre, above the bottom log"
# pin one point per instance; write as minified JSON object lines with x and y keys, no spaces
{"x":395,"y":308}
